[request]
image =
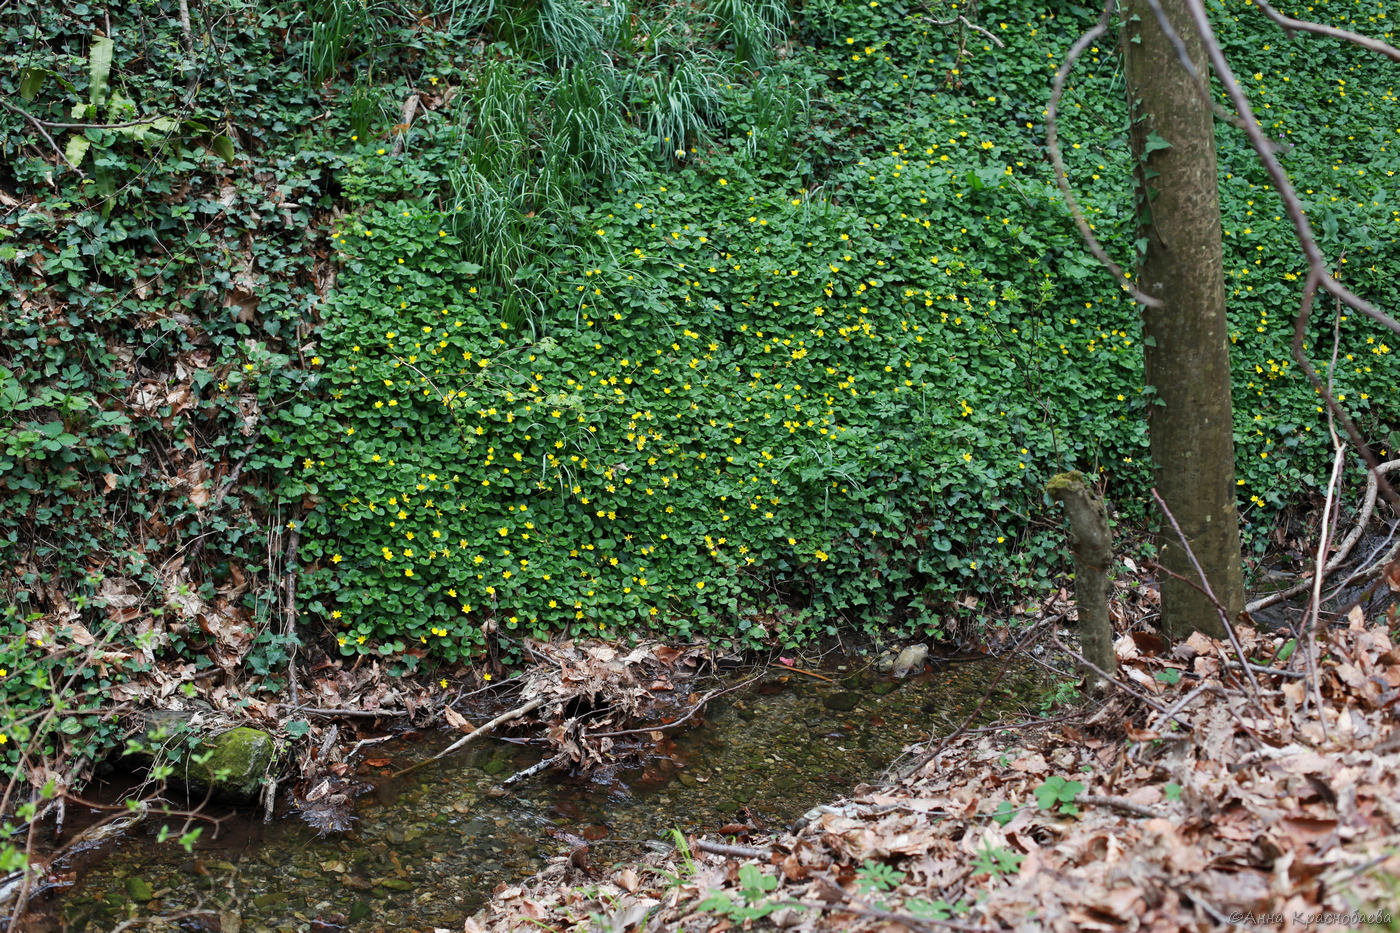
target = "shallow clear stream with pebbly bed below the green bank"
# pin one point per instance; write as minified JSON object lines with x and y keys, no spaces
{"x":428,"y":848}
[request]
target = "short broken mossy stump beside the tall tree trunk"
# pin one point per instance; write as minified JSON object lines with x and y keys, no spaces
{"x":1093,"y":548}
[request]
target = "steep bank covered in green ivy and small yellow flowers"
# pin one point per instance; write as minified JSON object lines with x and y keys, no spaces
{"x":561,"y":317}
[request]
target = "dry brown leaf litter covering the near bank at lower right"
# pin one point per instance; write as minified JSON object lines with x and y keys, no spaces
{"x":1193,"y":802}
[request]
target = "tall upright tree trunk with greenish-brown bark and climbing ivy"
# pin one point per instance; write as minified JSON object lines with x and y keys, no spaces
{"x":1185,"y":340}
